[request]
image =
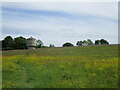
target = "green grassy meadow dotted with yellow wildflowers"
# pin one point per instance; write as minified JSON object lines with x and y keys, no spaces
{"x":69,"y":67}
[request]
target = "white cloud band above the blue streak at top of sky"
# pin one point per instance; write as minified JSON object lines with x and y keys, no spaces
{"x":101,"y":9}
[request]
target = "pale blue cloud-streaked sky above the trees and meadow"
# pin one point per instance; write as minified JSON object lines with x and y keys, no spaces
{"x":60,"y":22}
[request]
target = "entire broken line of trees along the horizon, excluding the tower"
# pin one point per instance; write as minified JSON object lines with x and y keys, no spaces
{"x":9,"y":43}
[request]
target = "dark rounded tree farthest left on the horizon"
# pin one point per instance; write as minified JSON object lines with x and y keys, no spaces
{"x":8,"y":43}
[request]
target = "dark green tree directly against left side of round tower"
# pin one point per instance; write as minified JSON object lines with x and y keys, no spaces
{"x":20,"y":43}
